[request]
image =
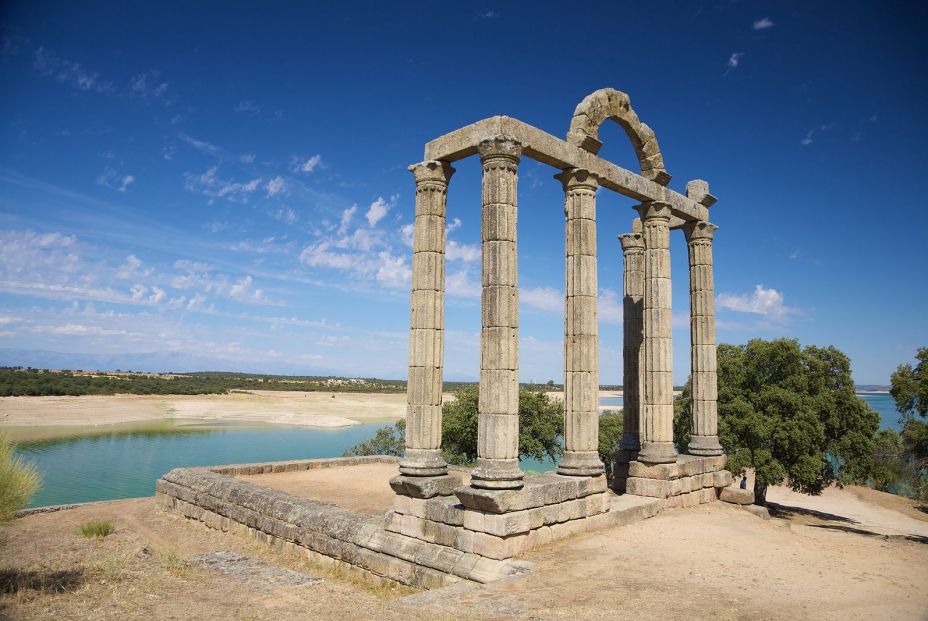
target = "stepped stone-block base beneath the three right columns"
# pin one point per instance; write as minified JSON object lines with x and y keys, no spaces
{"x":690,"y":481}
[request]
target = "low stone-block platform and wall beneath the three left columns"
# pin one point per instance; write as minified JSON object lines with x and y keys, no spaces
{"x":432,"y":542}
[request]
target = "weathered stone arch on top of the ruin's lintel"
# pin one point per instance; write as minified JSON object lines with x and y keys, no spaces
{"x":608,"y":103}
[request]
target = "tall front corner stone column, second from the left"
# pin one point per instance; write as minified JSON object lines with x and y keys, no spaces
{"x":498,"y":423}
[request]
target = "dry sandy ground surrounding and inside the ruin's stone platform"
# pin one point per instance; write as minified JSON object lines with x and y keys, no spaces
{"x":712,"y":562}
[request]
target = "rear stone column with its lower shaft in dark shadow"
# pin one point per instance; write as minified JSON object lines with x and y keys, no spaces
{"x":633,"y":285}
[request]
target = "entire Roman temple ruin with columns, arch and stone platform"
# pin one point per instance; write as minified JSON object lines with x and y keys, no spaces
{"x":441,"y":530}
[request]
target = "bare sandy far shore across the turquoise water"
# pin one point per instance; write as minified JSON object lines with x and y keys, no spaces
{"x":309,"y":409}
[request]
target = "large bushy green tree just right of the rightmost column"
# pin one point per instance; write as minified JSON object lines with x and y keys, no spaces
{"x":791,"y":414}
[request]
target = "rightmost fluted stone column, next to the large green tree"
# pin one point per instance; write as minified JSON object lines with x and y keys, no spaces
{"x":704,"y":439}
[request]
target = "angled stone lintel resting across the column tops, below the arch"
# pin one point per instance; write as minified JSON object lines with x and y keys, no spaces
{"x":543,"y":147}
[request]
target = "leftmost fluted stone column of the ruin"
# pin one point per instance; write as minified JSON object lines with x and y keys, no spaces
{"x":427,"y":323}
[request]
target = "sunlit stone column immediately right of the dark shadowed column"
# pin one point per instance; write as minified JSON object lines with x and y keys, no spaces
{"x":657,"y":377}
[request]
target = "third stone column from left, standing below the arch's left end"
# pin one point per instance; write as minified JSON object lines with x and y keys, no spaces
{"x":581,"y":333}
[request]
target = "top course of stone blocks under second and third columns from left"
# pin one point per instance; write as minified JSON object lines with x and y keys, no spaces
{"x":540,"y":490}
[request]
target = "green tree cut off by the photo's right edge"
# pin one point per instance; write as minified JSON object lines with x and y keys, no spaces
{"x":910,"y":391}
